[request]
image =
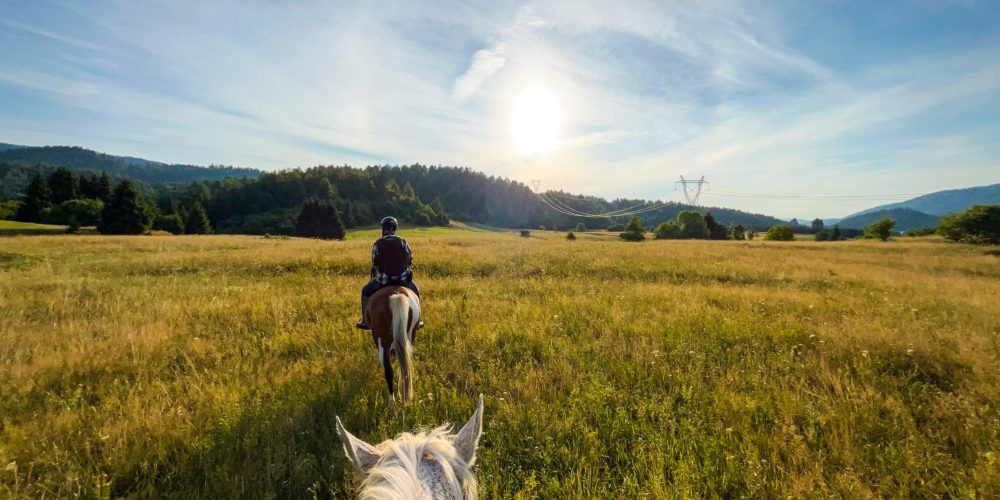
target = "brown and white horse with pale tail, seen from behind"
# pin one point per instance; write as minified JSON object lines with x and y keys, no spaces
{"x":393,"y":314}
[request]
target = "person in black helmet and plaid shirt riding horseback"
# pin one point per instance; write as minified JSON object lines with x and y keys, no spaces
{"x":391,"y":261}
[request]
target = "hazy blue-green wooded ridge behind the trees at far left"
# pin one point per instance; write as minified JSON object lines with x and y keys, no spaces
{"x":76,"y":158}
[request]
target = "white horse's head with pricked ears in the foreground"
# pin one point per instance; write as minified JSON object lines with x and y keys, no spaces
{"x":432,"y":464}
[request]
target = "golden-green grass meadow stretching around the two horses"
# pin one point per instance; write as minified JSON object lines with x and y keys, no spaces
{"x":201,"y":367}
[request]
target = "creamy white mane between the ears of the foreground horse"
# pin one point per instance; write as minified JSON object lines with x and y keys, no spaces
{"x":406,"y":459}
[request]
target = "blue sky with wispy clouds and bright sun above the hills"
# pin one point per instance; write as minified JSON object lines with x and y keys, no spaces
{"x":789,"y":108}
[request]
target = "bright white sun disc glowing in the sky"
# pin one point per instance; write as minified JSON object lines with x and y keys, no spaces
{"x":534,"y":123}
